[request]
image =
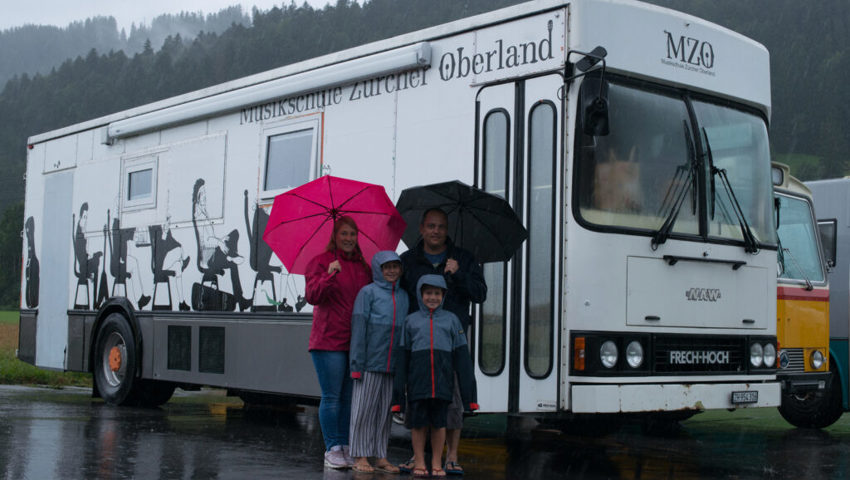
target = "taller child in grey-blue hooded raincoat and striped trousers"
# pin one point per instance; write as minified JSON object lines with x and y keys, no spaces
{"x":379,"y":311}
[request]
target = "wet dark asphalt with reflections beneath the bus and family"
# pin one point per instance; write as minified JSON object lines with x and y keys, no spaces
{"x":66,"y":434}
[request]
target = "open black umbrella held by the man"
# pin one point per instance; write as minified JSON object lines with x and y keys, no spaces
{"x":483,"y":223}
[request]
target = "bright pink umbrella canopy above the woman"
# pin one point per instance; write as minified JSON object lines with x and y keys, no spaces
{"x":302,"y":219}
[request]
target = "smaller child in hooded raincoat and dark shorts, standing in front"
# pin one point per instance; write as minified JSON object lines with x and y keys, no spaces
{"x":432,"y":349}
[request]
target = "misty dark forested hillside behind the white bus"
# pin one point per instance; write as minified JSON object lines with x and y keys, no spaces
{"x":808,"y":43}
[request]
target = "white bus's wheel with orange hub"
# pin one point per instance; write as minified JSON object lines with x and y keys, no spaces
{"x":115,"y":361}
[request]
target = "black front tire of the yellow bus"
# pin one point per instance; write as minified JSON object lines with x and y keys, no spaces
{"x":811,"y":410}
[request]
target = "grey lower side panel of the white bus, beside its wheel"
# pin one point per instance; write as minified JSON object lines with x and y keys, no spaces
{"x":257,"y":352}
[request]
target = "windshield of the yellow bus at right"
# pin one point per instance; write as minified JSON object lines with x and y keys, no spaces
{"x":797,"y":237}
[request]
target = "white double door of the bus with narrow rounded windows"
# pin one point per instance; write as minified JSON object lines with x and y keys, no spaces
{"x":519,"y":157}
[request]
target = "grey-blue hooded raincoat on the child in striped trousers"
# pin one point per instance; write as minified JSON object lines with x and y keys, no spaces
{"x":379,"y":311}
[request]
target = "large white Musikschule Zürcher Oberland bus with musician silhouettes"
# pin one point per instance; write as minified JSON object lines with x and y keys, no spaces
{"x":631,"y":140}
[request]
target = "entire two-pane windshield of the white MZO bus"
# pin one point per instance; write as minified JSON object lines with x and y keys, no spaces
{"x":656,"y":163}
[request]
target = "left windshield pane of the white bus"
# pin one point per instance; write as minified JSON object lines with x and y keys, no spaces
{"x":631,"y":177}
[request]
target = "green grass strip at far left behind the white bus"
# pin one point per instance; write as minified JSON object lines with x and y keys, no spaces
{"x":16,"y":372}
